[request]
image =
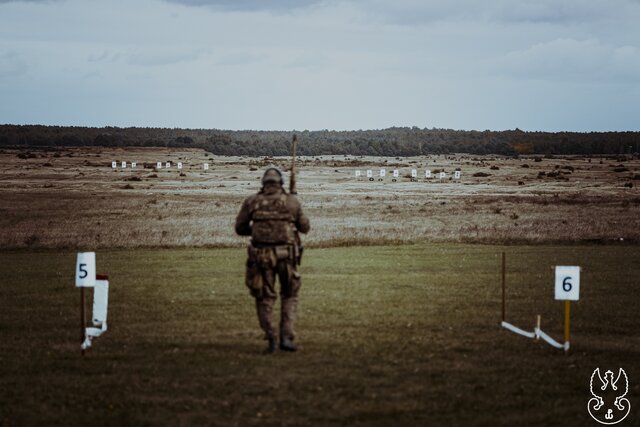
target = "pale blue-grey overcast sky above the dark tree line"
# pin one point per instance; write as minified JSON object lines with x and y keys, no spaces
{"x":285,"y":64}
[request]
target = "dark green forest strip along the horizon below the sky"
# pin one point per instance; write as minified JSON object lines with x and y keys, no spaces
{"x":395,"y":141}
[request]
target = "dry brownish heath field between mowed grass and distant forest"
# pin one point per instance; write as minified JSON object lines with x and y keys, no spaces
{"x":73,"y":198}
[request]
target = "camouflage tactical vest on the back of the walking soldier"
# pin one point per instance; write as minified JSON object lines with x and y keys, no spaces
{"x":273,"y":222}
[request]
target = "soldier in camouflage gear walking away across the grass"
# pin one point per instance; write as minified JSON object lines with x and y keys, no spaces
{"x":273,"y":218}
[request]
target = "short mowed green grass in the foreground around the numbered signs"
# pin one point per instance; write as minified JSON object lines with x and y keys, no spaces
{"x":394,"y":335}
